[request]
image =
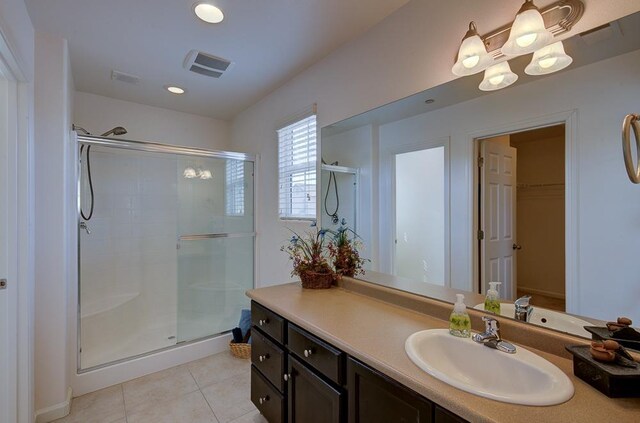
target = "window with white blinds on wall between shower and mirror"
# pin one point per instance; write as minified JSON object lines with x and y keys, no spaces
{"x":297,"y":169}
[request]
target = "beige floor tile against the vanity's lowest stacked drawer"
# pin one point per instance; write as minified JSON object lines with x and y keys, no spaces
{"x":230,"y":398}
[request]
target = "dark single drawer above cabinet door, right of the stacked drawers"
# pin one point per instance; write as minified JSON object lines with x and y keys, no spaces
{"x":318,"y":354}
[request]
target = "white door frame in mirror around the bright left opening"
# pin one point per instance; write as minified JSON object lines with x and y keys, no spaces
{"x":387,"y":208}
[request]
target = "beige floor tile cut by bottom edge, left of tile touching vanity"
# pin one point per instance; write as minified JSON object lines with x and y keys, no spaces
{"x":190,"y":408}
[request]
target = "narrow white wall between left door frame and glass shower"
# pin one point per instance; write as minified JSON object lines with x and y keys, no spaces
{"x":53,"y":208}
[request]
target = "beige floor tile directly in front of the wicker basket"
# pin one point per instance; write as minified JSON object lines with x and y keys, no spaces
{"x":216,"y":368}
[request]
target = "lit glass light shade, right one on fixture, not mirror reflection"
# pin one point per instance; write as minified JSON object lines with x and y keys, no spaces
{"x":528,"y":32}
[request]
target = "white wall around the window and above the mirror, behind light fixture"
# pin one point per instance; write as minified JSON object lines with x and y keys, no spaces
{"x":417,"y":44}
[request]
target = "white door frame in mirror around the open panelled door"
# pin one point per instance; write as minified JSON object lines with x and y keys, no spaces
{"x":570,"y":120}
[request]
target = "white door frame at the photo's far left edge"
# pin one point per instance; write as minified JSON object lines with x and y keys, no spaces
{"x":20,"y":284}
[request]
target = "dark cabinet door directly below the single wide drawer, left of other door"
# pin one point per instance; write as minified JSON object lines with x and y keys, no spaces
{"x":311,"y":399}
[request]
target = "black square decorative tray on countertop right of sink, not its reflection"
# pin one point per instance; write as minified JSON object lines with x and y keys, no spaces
{"x":613,"y":380}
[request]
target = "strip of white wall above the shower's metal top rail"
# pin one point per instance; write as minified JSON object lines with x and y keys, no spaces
{"x":98,"y":114}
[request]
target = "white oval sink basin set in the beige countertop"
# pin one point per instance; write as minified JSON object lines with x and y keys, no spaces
{"x":521,"y":378}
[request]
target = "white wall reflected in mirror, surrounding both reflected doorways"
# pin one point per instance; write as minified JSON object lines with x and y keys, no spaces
{"x":600,"y":94}
